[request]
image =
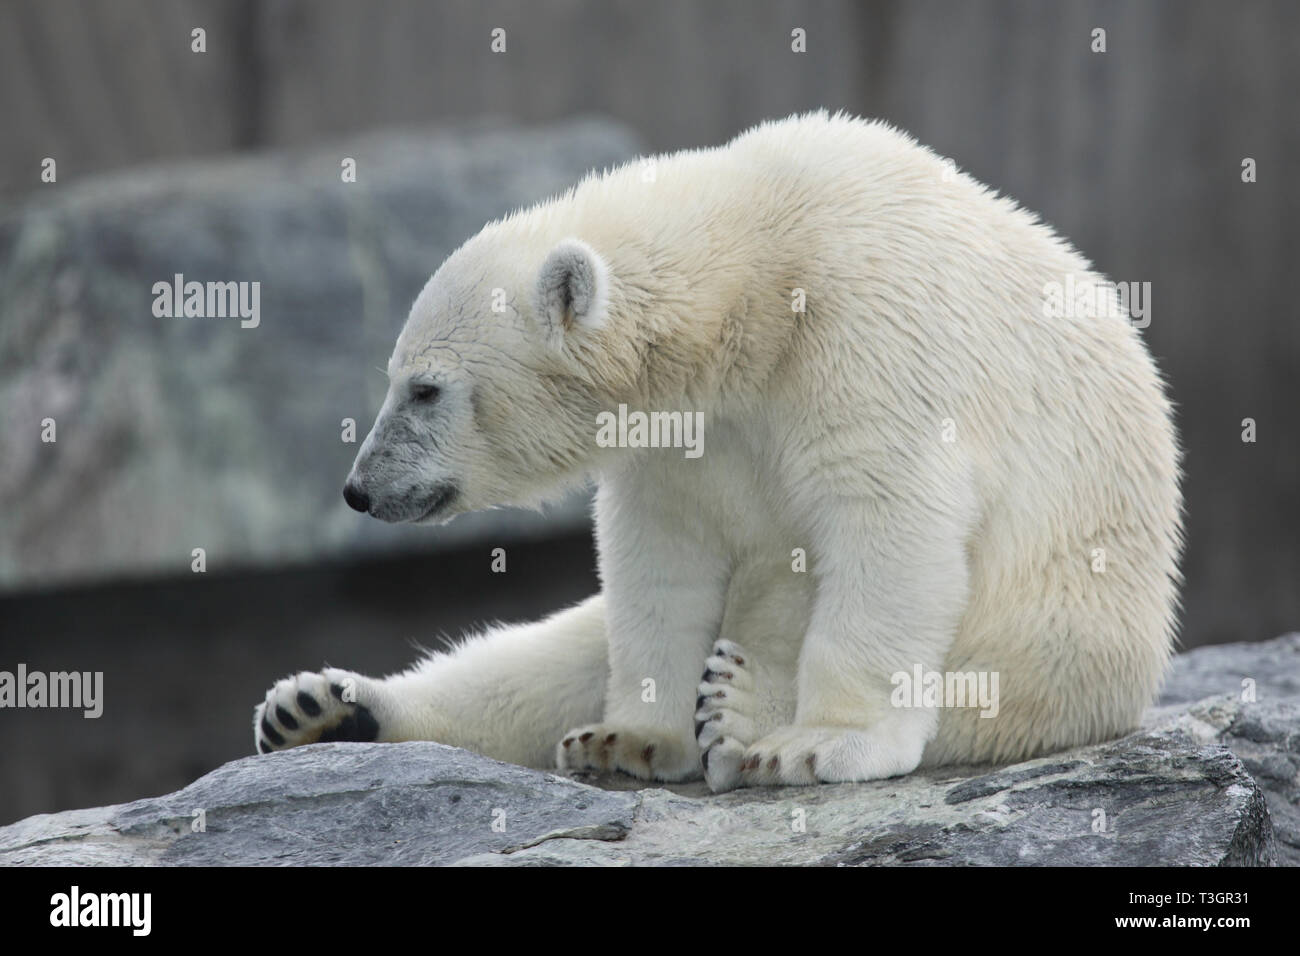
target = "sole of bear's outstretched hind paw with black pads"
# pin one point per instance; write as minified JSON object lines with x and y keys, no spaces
{"x":315,"y":710}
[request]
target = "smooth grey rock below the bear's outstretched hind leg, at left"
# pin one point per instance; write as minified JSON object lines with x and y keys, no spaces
{"x":356,"y":804}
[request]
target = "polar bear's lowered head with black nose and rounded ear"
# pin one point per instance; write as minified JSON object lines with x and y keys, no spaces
{"x":495,"y":383}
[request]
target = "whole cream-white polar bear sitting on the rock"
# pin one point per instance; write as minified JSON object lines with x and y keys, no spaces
{"x":913,"y":465}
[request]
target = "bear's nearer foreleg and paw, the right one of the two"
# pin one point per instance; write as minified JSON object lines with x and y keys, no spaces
{"x":892,"y":591}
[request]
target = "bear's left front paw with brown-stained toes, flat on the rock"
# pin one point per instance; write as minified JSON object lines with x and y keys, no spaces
{"x":644,"y":752}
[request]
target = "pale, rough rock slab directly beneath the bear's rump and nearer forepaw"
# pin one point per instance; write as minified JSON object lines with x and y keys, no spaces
{"x":1167,"y":799}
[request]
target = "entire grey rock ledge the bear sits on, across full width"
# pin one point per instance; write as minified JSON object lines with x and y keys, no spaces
{"x":1180,"y":791}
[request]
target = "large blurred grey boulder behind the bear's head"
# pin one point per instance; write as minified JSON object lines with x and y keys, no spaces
{"x":181,"y":434}
